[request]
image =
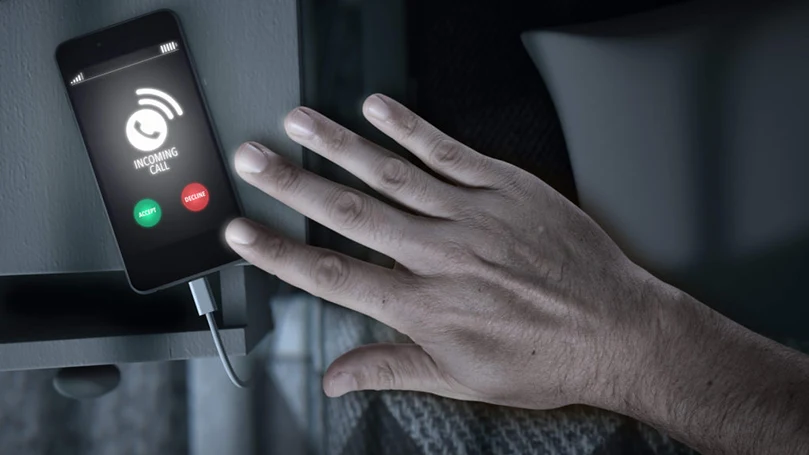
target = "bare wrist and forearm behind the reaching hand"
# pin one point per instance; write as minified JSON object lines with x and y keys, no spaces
{"x":703,"y":379}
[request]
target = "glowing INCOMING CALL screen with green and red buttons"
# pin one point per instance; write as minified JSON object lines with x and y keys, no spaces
{"x":153,"y":150}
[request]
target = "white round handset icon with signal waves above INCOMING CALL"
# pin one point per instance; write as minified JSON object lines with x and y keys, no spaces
{"x":147,"y":128}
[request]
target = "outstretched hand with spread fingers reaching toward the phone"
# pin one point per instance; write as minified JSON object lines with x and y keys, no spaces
{"x":511,"y":294}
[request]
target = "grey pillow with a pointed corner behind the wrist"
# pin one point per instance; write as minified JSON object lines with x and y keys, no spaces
{"x":686,"y":130}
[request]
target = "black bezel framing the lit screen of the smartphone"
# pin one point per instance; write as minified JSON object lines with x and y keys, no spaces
{"x":188,"y":259}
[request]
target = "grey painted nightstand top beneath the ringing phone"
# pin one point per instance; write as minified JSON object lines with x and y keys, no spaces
{"x":51,"y":215}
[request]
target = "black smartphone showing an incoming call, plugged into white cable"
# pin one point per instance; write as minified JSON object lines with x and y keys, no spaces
{"x":152,"y":147}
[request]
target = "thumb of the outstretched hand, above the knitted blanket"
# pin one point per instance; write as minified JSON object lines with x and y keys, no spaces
{"x":385,"y":366}
